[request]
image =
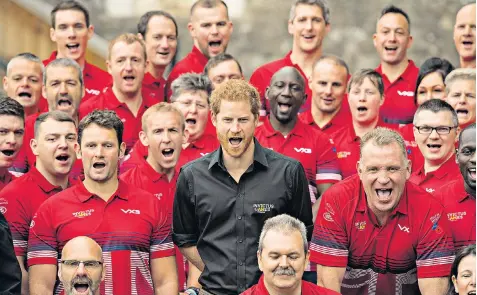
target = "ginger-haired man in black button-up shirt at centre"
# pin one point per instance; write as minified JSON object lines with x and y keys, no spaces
{"x":223,"y":199}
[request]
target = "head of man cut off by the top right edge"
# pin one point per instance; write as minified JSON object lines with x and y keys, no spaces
{"x":464,"y":35}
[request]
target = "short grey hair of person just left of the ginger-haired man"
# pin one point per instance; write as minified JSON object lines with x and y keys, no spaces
{"x":190,"y":82}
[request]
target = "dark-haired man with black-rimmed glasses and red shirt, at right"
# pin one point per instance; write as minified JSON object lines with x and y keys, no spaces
{"x":435,"y":131}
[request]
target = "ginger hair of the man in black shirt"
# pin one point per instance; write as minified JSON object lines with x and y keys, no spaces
{"x":235,"y":90}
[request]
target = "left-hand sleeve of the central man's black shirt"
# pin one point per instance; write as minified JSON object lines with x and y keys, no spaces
{"x":184,"y":225}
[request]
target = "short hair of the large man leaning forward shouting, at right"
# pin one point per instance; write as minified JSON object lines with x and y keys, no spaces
{"x":381,"y":136}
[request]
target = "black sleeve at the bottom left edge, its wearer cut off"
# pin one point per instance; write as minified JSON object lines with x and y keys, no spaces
{"x":10,"y":273}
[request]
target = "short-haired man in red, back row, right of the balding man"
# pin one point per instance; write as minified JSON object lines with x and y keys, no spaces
{"x":210,"y":28}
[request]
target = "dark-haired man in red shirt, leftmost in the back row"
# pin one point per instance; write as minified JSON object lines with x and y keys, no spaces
{"x":70,"y":30}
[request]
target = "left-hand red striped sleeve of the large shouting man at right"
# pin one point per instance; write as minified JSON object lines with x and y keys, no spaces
{"x":329,"y":243}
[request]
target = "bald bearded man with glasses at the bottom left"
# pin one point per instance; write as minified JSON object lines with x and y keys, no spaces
{"x":81,"y":267}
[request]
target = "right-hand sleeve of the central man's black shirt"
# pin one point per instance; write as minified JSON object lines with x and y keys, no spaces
{"x":301,"y":204}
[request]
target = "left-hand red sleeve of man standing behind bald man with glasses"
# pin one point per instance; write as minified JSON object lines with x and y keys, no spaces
{"x":42,"y":243}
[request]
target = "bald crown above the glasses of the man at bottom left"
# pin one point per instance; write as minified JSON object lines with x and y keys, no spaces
{"x":82,"y":248}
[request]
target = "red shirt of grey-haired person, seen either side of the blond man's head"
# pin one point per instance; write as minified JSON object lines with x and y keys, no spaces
{"x":201,"y":147}
